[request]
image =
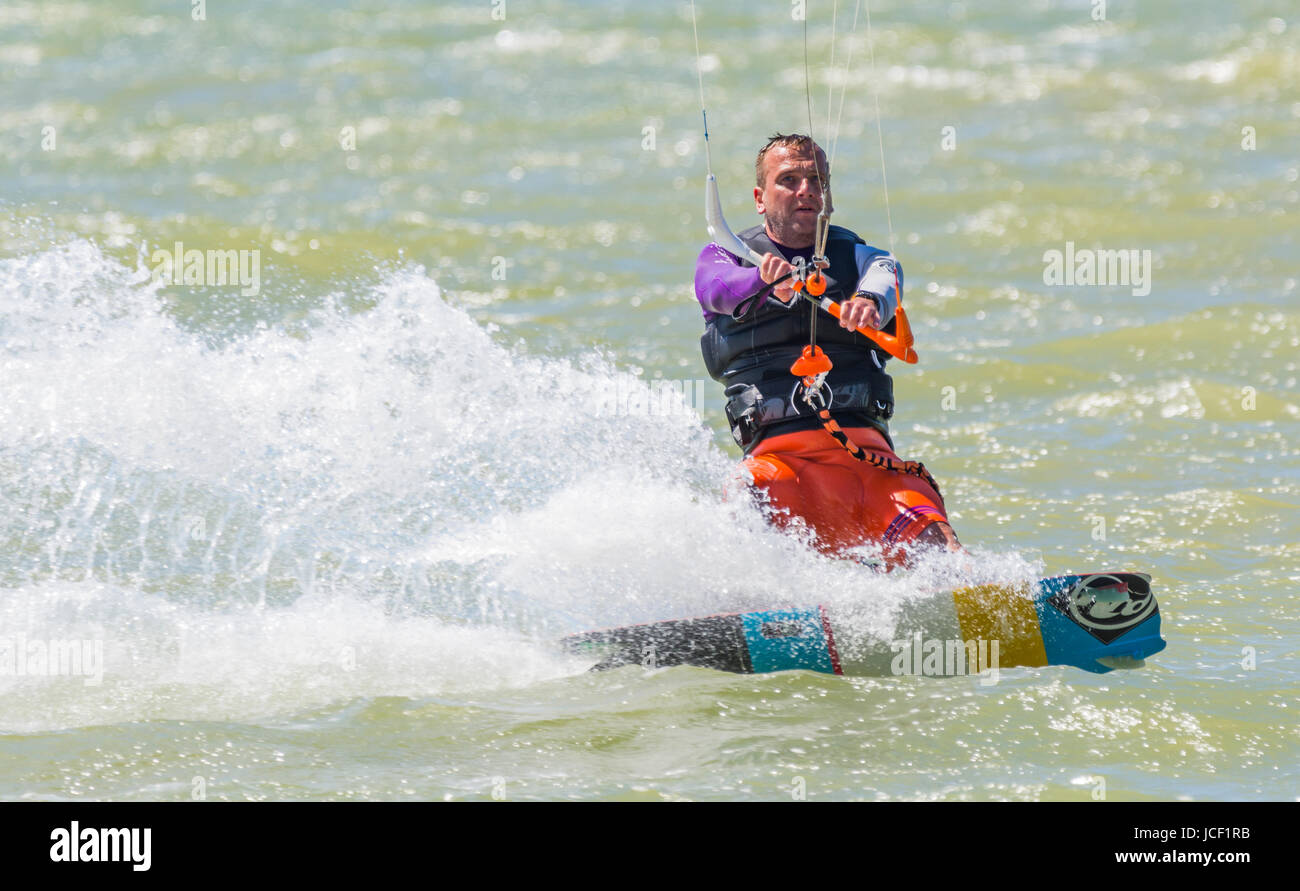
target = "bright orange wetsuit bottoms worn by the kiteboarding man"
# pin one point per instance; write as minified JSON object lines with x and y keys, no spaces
{"x":844,"y":500}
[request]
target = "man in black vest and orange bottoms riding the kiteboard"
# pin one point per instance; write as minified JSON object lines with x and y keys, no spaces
{"x":791,"y":453}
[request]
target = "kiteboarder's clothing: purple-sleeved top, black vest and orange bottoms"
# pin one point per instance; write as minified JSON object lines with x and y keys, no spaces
{"x":804,"y":470}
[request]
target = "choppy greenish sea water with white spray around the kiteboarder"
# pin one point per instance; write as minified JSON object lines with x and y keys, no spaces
{"x":327,"y":531}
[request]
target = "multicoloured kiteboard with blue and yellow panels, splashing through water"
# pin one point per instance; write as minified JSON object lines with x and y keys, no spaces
{"x":1097,"y":622}
